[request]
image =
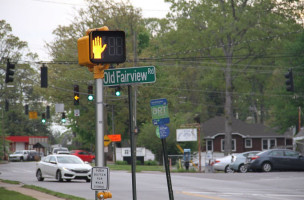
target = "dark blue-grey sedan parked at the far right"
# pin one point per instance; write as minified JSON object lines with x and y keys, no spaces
{"x":277,"y":159}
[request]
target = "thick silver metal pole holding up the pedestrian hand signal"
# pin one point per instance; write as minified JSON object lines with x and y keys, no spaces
{"x":99,"y":147}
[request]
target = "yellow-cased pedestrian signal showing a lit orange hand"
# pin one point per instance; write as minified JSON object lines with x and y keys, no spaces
{"x":101,"y":46}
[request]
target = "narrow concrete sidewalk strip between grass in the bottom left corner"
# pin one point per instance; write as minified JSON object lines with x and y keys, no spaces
{"x":29,"y":192}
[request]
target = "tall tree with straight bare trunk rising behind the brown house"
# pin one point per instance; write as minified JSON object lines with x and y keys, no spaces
{"x":229,"y":32}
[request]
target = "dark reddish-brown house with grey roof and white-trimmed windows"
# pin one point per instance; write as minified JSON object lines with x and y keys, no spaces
{"x":245,"y":137}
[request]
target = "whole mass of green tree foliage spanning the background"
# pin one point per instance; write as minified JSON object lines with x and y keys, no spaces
{"x":211,"y":57}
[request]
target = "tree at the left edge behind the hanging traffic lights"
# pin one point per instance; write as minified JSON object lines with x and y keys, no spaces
{"x":25,"y":87}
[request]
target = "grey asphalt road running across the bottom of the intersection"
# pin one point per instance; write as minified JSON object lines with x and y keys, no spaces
{"x":194,"y":186}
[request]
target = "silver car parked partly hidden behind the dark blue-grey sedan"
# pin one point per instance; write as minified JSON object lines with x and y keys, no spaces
{"x":239,"y":164}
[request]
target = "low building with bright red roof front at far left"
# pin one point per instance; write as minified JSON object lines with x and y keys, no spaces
{"x":27,"y":143}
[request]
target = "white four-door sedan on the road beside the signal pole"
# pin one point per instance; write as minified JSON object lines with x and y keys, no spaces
{"x":63,"y":167}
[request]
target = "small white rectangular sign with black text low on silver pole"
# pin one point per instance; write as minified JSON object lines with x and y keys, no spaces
{"x":100,"y":178}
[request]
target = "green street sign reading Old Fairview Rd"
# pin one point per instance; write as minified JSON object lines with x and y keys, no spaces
{"x":127,"y":76}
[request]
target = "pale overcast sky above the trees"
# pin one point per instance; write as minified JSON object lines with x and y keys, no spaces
{"x":34,"y":20}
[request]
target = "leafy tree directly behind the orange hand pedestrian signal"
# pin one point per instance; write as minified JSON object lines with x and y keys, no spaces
{"x":117,"y":16}
